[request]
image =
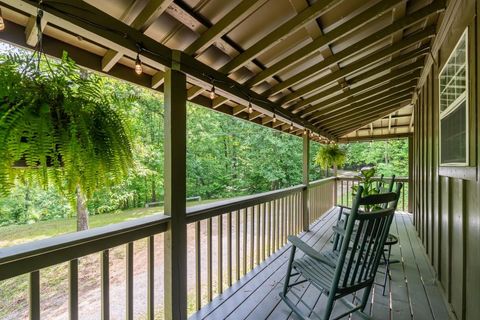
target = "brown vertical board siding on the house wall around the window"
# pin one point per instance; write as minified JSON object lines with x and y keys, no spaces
{"x":446,"y":199}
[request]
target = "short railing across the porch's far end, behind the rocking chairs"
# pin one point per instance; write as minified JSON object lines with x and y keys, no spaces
{"x":345,"y":184}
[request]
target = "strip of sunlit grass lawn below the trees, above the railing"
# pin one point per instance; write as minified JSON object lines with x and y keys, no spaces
{"x":17,"y":234}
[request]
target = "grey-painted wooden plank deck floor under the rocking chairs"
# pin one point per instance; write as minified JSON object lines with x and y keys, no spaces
{"x":411,"y":293}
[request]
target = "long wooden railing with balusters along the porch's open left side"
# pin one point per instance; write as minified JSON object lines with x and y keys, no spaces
{"x":225,"y":240}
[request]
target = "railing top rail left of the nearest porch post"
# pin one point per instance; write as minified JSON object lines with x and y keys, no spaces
{"x":35,"y":255}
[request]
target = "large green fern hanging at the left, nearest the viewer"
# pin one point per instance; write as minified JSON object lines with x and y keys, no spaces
{"x":57,"y":120}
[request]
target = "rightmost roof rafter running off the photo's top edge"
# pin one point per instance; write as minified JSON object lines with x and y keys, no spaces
{"x":328,"y":38}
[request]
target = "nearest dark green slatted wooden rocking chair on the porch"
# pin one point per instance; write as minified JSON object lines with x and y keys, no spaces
{"x":356,"y":264}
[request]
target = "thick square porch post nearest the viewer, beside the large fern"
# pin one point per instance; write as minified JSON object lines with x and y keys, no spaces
{"x":175,"y":239}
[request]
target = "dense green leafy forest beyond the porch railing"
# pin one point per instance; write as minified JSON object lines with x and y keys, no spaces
{"x":226,"y":157}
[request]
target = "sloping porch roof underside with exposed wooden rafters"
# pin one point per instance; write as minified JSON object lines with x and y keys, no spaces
{"x":346,"y":70}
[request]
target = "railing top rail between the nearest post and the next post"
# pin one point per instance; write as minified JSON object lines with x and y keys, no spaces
{"x":209,"y":210}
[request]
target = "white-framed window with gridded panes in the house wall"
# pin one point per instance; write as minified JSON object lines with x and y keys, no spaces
{"x":454,"y":106}
